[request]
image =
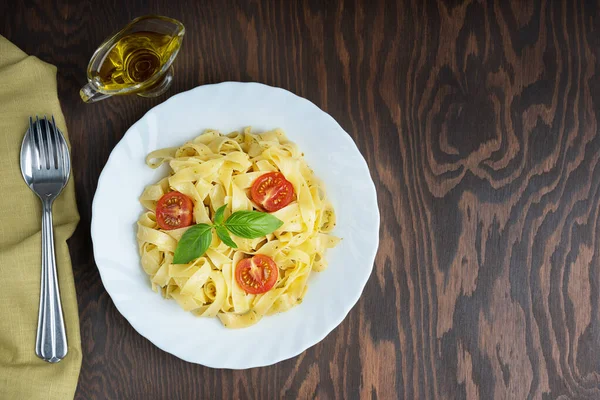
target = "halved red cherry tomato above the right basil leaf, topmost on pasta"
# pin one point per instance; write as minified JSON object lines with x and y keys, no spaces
{"x":272,"y":191}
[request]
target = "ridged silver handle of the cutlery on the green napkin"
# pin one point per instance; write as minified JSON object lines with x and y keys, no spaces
{"x":51,"y":340}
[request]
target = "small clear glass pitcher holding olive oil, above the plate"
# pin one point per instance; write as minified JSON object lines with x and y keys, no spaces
{"x":138,"y":59}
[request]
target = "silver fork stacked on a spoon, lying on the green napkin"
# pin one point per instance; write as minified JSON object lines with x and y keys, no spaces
{"x":46,"y":165}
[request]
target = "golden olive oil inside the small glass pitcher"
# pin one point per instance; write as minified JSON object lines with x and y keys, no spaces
{"x":134,"y":59}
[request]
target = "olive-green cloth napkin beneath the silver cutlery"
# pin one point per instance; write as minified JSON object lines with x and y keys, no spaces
{"x":28,"y":87}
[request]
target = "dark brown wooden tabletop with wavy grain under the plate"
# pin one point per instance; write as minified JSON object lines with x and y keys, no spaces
{"x":478,"y":120}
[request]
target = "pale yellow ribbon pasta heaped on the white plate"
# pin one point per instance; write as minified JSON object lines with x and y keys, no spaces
{"x":215,"y":169}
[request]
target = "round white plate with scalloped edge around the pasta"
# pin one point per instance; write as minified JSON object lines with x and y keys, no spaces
{"x":331,"y":294}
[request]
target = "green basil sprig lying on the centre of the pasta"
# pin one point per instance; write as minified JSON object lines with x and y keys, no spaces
{"x":245,"y":224}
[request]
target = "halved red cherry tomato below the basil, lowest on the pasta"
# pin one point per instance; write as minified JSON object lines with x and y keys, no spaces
{"x":257,"y":274}
